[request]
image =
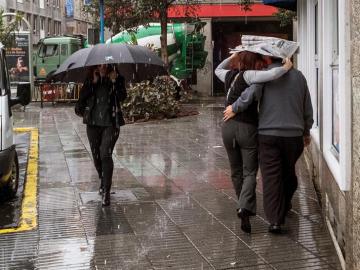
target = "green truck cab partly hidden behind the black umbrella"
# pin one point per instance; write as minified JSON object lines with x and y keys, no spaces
{"x":52,"y":52}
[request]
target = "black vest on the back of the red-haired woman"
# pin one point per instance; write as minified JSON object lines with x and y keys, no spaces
{"x":250,"y":115}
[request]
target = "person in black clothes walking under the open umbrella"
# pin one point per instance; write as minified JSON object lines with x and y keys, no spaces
{"x":99,"y":105}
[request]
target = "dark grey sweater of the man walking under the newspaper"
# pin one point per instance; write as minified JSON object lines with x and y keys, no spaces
{"x":285,"y":105}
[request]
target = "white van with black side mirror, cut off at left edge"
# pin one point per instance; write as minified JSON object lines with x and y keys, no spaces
{"x":9,"y":166}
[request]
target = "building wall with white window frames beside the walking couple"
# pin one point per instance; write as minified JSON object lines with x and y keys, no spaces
{"x":328,"y":32}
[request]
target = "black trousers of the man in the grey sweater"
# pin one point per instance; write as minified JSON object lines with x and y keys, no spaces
{"x":278,"y":156}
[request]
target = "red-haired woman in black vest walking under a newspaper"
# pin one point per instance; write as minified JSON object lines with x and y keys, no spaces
{"x":240,"y":133}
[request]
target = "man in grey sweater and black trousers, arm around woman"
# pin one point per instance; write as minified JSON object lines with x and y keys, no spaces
{"x":285,"y":120}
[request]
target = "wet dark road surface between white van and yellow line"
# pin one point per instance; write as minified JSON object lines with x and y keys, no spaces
{"x":10,"y":208}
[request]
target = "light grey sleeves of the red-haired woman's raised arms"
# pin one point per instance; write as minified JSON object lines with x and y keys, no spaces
{"x":251,"y":76}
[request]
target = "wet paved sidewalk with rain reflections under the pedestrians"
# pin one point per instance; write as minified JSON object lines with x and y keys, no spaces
{"x":173,"y":205}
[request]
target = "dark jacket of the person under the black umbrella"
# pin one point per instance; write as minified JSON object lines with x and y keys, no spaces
{"x":86,"y":101}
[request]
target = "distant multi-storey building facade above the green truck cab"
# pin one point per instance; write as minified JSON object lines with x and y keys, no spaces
{"x":45,"y":16}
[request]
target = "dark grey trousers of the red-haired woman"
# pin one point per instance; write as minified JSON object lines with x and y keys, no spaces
{"x":240,"y":141}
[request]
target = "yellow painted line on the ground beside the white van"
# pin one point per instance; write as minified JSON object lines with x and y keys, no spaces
{"x":28,"y":219}
